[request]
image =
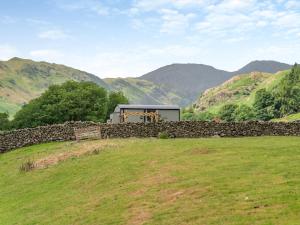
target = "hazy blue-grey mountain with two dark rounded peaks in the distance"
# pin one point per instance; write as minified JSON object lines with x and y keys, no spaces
{"x":189,"y":80}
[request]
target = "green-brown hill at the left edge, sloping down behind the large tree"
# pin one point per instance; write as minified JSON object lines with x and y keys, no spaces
{"x":22,"y":80}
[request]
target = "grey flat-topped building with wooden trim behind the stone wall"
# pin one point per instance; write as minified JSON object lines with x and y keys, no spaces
{"x":144,"y":113}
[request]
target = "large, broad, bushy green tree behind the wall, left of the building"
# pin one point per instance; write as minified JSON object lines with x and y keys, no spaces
{"x":71,"y":101}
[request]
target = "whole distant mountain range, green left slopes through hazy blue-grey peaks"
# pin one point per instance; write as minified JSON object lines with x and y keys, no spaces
{"x":22,"y":80}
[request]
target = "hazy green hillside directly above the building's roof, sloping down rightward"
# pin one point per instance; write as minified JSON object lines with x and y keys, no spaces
{"x":145,"y":92}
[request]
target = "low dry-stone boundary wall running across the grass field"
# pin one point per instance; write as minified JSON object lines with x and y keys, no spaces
{"x":64,"y":132}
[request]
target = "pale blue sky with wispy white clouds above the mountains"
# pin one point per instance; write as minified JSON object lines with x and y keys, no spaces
{"x":121,"y":38}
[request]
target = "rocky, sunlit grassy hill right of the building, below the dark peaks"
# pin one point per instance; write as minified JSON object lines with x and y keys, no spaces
{"x":240,"y":89}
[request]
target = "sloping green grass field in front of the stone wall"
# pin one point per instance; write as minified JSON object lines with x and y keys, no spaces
{"x":150,"y":181}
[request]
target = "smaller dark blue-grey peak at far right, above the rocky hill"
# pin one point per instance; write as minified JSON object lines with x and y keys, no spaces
{"x":263,"y":66}
